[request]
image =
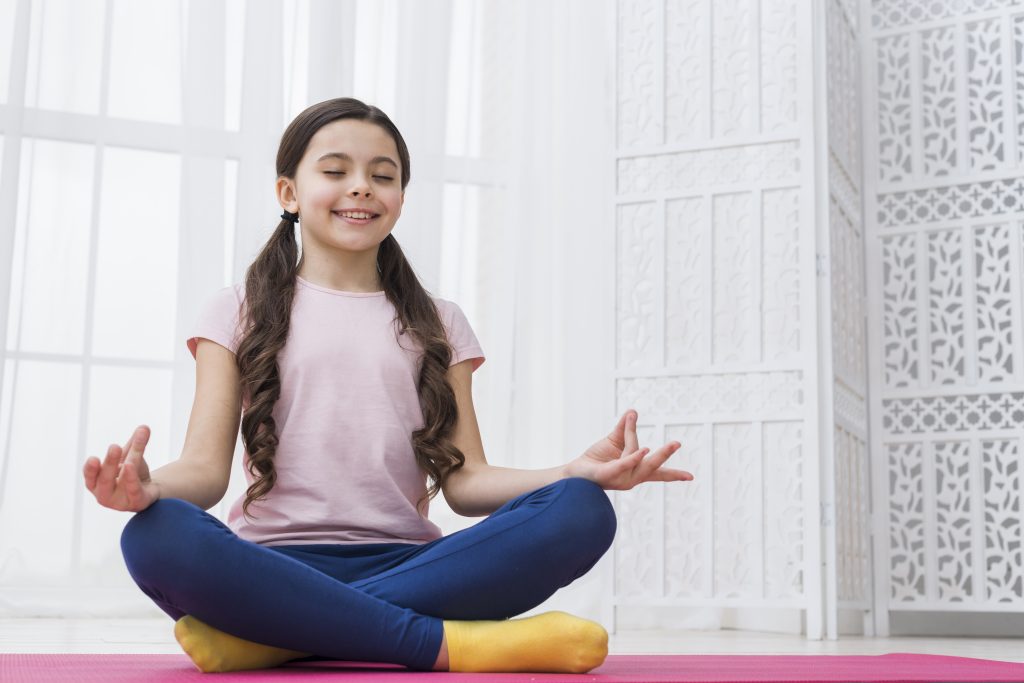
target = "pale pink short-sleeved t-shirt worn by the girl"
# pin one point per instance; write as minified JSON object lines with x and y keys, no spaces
{"x":349,"y":406}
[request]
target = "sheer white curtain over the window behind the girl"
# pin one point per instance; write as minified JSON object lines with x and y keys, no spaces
{"x":138,"y":145}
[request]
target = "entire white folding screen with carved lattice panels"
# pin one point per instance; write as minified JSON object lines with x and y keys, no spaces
{"x":820,"y":294}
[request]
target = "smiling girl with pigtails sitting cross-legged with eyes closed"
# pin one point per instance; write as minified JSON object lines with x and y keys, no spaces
{"x":353,"y":385}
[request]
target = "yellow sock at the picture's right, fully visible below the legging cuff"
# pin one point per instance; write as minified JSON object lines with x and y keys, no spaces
{"x":554,"y":642}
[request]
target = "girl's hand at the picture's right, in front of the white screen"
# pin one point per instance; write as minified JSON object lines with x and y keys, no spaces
{"x":618,"y":463}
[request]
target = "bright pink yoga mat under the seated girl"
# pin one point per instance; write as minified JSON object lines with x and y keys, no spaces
{"x":897,"y":668}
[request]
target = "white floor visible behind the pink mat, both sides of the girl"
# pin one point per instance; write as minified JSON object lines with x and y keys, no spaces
{"x":155,"y":636}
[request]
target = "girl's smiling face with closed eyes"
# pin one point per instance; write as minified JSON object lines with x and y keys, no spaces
{"x":349,"y":165}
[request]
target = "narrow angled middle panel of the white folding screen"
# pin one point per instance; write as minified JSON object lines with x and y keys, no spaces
{"x":847,"y":477}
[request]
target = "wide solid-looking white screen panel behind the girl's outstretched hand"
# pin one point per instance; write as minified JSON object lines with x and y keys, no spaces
{"x":716,"y":314}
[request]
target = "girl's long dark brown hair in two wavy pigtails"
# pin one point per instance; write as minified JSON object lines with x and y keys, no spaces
{"x":268,"y":311}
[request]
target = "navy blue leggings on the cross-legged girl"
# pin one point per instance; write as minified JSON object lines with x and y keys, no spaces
{"x":369,"y":603}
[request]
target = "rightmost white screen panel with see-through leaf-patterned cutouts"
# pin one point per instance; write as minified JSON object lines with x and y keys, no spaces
{"x":945,"y":153}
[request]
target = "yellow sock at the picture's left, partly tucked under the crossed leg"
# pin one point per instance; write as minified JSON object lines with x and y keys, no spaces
{"x":215,"y":651}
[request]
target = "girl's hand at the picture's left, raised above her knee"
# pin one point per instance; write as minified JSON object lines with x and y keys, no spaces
{"x":122,"y":481}
